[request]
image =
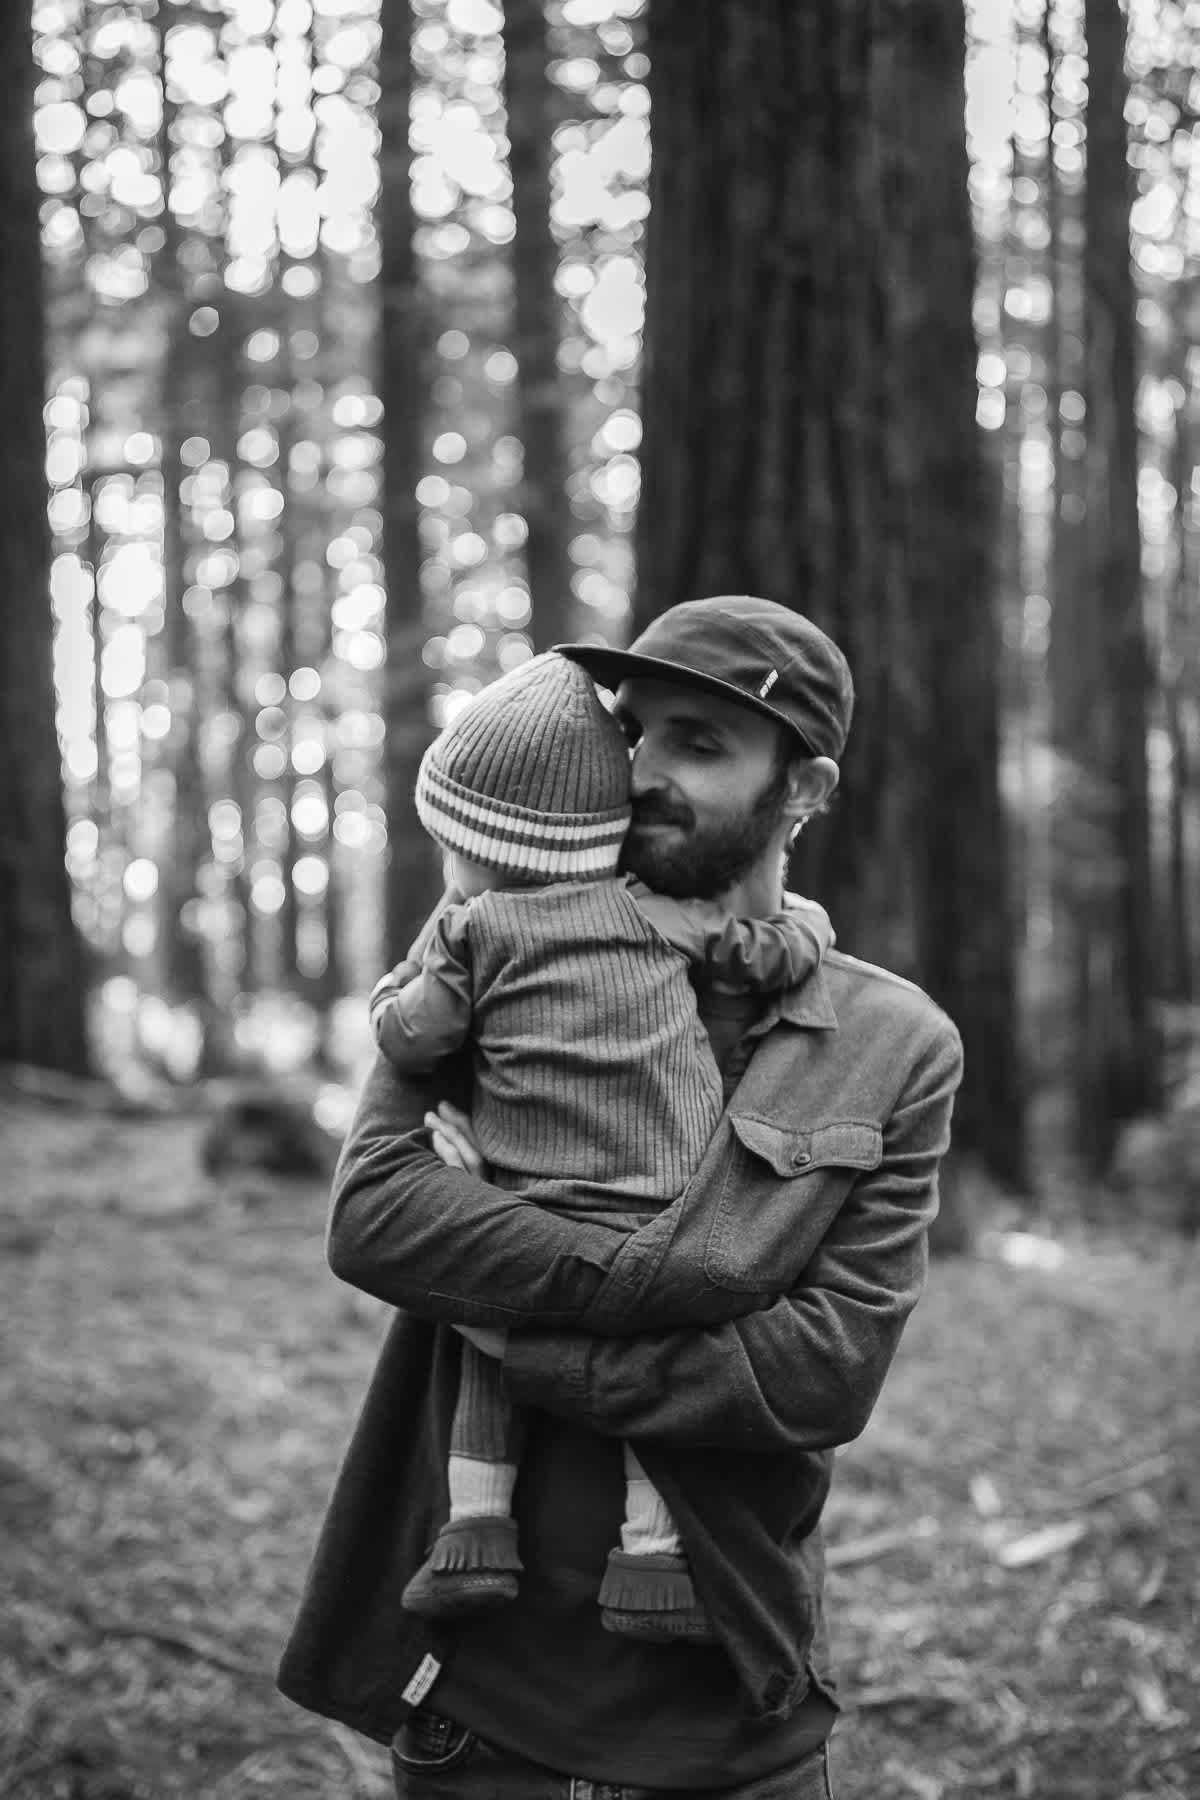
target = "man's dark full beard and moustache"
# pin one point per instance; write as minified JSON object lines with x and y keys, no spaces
{"x":704,"y":861}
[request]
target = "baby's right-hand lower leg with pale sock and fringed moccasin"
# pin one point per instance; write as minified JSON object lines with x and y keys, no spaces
{"x":647,"y":1588}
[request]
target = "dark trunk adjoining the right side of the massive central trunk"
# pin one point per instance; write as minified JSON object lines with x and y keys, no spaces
{"x":965,"y":915}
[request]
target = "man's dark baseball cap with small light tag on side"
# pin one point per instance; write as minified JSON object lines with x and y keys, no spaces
{"x":749,"y":651}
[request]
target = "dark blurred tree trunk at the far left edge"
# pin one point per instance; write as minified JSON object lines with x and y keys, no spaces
{"x":42,"y":975}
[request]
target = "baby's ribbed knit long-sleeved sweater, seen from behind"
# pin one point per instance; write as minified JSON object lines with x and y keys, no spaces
{"x":595,"y":1081}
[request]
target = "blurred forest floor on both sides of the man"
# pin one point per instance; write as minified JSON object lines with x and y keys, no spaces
{"x":1016,"y":1542}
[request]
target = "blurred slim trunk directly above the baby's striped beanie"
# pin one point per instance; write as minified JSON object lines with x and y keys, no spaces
{"x":537,"y":323}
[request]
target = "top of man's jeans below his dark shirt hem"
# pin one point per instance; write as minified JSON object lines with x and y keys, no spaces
{"x":436,"y":1759}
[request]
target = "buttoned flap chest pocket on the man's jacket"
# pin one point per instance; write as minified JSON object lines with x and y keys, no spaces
{"x":782,"y":1191}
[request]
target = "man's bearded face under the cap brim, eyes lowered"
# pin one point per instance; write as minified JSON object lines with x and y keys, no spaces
{"x":710,"y":782}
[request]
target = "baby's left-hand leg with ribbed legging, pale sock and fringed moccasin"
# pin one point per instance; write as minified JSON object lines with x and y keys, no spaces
{"x":474,"y":1563}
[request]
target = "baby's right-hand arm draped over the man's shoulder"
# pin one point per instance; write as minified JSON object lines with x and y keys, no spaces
{"x":767,"y":953}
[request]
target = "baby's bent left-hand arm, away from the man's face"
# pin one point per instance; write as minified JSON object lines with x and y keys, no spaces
{"x":420,"y":1012}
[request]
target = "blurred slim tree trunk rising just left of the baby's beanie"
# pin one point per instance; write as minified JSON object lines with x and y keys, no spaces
{"x":404,"y":384}
